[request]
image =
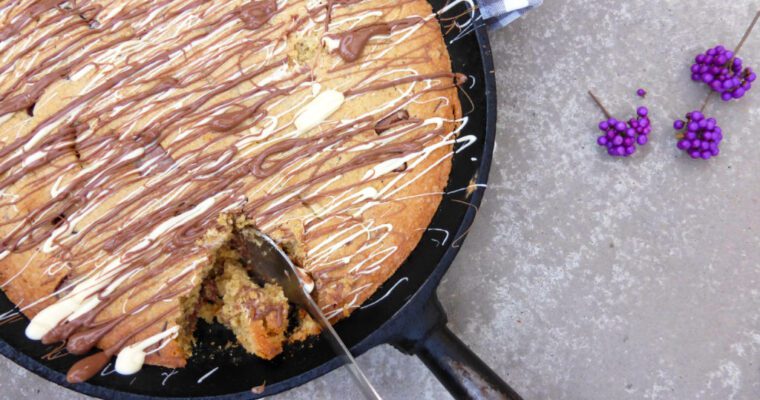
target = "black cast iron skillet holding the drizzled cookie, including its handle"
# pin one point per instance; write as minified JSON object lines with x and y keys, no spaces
{"x":405,"y":311}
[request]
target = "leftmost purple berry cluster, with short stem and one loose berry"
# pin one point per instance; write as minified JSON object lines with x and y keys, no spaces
{"x":621,"y":138}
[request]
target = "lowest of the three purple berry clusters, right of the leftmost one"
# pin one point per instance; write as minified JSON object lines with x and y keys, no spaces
{"x":700,"y":137}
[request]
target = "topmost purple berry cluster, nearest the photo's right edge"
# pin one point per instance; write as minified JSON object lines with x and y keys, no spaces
{"x":723,"y":72}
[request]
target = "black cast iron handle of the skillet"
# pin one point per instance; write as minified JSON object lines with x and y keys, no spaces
{"x":460,"y":370}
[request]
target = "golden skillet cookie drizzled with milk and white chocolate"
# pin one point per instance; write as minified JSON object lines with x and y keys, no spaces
{"x":134,"y":135}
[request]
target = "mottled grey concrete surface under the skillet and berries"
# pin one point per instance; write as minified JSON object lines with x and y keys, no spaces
{"x":587,"y":277}
